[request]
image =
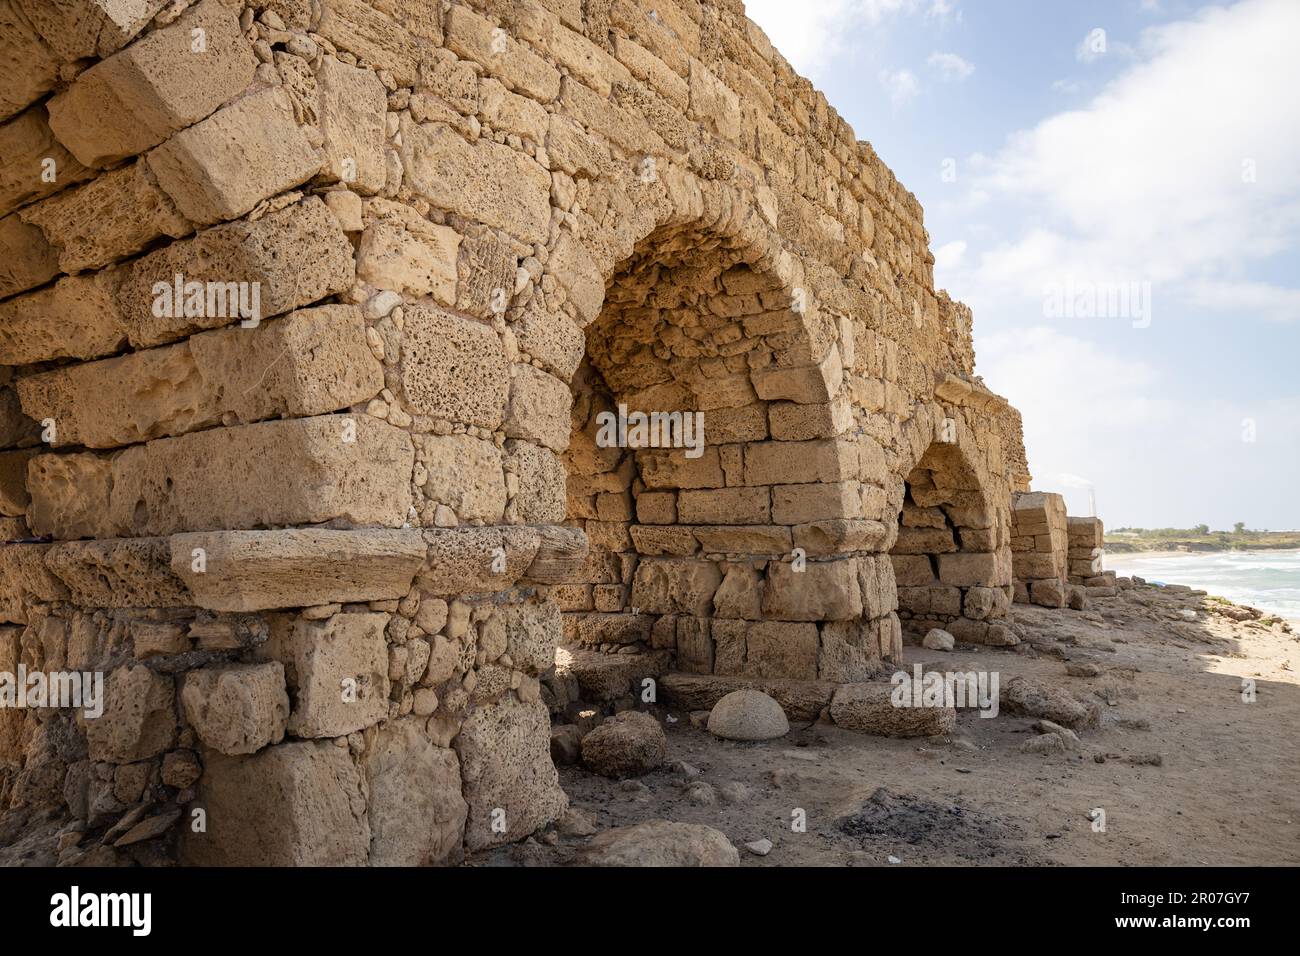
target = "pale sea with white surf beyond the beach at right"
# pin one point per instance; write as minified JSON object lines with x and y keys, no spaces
{"x":1269,"y":581}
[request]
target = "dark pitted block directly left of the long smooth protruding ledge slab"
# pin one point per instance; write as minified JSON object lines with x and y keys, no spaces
{"x":119,"y":573}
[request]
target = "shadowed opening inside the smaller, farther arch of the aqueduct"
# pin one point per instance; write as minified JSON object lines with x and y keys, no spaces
{"x":951,"y":560}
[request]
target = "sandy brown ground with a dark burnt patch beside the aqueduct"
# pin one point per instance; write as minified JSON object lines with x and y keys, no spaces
{"x":1188,"y":773}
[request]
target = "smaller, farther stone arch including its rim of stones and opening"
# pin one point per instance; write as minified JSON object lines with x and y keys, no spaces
{"x":951,"y":555}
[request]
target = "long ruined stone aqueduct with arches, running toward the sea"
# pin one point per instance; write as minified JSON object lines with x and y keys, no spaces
{"x":328,"y":550}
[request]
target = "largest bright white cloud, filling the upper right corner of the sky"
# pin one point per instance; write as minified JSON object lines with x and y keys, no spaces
{"x":1149,"y":181}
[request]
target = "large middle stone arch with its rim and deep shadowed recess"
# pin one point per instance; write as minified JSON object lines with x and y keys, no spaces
{"x":739,"y":559}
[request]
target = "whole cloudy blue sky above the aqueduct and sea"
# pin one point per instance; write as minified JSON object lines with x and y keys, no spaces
{"x":1115,"y":189}
